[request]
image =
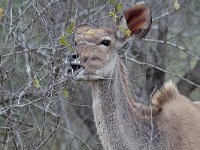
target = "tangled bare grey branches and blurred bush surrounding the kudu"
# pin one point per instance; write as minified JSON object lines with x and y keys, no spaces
{"x":40,"y":108}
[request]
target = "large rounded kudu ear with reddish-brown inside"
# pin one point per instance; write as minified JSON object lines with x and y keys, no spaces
{"x":135,"y":23}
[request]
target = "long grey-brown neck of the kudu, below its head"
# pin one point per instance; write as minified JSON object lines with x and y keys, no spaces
{"x":115,"y":114}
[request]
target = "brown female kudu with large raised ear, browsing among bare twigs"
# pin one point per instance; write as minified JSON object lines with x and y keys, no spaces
{"x":172,"y":122}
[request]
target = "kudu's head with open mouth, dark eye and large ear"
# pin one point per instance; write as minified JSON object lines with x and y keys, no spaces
{"x":96,"y":49}
